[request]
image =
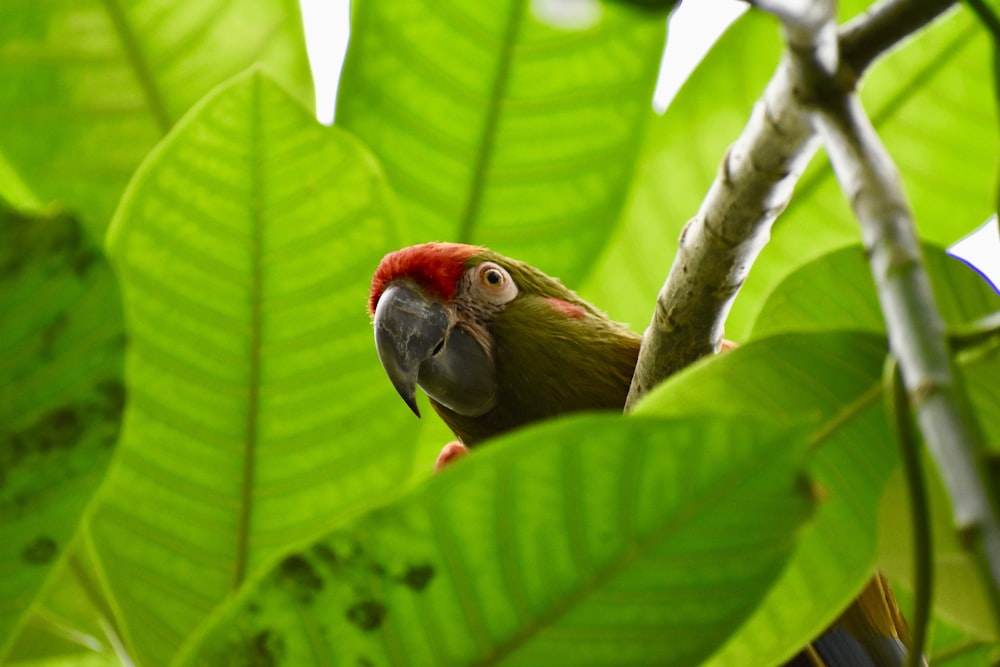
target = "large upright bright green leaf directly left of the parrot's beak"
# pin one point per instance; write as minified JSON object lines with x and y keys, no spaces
{"x":255,"y":416}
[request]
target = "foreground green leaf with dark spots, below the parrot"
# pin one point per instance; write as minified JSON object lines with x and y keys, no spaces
{"x":591,"y":540}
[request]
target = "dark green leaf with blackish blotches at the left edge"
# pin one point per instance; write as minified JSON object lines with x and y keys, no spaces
{"x":61,"y":395}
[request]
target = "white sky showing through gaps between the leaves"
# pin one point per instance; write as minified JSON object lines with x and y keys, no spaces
{"x":693,"y":29}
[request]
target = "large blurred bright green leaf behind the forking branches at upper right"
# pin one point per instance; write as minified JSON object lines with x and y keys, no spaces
{"x":927,"y":99}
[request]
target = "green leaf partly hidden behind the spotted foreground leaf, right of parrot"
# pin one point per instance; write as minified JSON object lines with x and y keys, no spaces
{"x":832,"y":383}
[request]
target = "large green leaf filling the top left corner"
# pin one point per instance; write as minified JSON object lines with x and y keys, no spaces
{"x":88,"y":87}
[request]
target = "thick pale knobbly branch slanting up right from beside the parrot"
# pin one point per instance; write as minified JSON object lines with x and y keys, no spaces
{"x":754,"y":184}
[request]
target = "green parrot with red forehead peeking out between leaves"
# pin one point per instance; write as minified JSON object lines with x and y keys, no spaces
{"x":497,"y":344}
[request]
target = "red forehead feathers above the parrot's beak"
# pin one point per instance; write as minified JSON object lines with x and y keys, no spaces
{"x":436,"y":267}
